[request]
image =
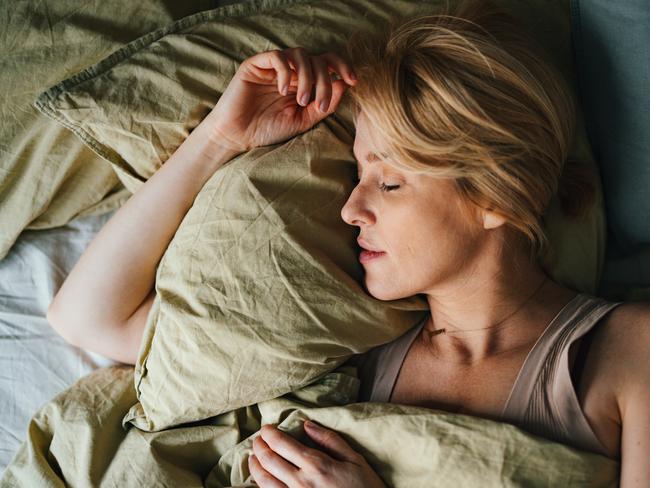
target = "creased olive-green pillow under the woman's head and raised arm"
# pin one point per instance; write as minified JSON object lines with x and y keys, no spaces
{"x":259,"y":291}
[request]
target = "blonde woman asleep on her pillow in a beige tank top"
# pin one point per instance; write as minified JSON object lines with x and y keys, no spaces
{"x":462,"y":136}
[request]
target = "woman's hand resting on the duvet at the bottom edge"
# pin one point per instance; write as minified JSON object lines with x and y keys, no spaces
{"x":279,"y":460}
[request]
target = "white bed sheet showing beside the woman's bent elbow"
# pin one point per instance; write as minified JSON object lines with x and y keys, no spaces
{"x":35,"y":362}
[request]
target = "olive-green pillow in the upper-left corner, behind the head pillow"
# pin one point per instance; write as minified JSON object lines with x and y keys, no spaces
{"x":47,"y":175}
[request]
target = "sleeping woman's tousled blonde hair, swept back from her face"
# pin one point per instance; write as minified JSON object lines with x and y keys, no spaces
{"x":470,"y":97}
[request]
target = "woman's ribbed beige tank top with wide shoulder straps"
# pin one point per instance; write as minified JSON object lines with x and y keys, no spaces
{"x":542,"y":400}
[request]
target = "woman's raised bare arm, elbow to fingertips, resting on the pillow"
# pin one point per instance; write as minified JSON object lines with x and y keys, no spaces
{"x":103,"y":304}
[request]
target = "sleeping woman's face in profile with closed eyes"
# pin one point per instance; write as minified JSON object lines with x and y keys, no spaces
{"x":417,"y":221}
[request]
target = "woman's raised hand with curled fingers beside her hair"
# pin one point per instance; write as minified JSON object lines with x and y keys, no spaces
{"x":261,"y":105}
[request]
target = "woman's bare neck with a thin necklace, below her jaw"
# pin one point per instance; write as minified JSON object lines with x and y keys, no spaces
{"x":498,"y":306}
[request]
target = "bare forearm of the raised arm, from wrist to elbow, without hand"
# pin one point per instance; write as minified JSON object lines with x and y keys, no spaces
{"x":117,"y":270}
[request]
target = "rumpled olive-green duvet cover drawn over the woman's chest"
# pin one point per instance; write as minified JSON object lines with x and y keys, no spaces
{"x":78,"y":438}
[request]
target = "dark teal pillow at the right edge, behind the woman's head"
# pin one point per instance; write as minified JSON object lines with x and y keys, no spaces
{"x":610,"y":40}
